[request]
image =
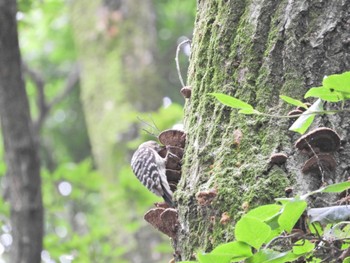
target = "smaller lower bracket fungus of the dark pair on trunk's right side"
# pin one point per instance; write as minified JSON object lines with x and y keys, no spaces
{"x":324,"y":161}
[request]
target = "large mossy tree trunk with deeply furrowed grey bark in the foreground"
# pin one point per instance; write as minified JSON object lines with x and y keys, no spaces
{"x":254,"y":50}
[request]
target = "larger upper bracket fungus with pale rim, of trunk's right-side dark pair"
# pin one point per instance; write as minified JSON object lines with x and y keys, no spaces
{"x":322,"y":139}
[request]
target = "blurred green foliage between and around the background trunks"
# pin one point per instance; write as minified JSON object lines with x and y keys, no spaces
{"x":76,"y":225}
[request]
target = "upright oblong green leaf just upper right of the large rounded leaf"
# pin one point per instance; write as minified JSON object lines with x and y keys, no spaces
{"x":291,"y":213}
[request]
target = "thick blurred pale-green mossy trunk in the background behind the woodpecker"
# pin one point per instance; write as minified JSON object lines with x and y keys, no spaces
{"x":117,"y":41}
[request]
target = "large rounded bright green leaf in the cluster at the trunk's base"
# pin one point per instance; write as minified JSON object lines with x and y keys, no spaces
{"x":252,"y":231}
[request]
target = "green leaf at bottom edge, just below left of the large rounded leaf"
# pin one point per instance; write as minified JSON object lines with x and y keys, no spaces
{"x":236,"y":250}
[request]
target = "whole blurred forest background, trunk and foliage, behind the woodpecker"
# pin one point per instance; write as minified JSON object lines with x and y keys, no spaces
{"x":97,"y":73}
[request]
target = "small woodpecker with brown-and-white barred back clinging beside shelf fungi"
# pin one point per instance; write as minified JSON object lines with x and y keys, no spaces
{"x":149,"y":168}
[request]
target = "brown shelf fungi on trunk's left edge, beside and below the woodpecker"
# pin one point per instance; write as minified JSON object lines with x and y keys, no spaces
{"x":163,"y":217}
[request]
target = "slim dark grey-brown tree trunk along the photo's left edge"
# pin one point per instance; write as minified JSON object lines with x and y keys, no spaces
{"x":21,"y":150}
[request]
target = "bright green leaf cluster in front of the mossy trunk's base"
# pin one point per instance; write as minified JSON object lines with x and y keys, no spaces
{"x":268,"y":234}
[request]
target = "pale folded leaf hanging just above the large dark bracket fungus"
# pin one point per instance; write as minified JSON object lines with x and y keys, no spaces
{"x":305,"y":120}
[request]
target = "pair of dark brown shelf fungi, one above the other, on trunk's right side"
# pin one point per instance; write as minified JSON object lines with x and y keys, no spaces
{"x":319,"y":145}
